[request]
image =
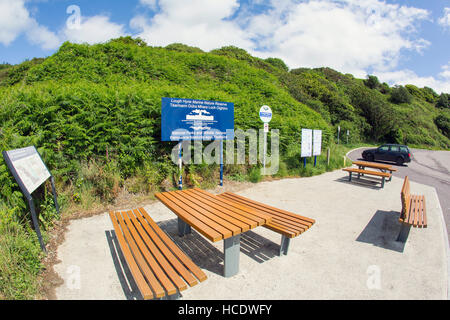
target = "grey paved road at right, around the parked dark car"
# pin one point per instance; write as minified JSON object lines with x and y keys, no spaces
{"x":427,"y":167}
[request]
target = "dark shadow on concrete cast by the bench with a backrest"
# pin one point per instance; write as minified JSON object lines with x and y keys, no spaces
{"x":382,"y":231}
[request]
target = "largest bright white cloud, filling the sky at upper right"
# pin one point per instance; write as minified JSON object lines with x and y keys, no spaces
{"x":350,"y":36}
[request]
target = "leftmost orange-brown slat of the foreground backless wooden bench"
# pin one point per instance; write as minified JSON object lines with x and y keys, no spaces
{"x":137,"y":275}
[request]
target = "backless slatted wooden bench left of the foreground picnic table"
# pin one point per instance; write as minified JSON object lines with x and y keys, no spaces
{"x":159,"y":267}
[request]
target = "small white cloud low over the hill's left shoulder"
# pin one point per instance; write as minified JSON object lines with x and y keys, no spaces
{"x":92,"y":30}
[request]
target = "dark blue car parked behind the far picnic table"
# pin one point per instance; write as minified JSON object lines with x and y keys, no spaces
{"x":397,"y":153}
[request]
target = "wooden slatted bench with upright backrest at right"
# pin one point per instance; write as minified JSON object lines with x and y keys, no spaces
{"x":413,"y":213}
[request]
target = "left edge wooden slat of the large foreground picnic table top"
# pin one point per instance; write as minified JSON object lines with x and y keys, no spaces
{"x":197,"y":224}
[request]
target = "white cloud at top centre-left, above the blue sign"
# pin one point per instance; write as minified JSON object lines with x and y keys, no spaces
{"x":200,"y":23}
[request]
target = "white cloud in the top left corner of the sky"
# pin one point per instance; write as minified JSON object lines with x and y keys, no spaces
{"x":15,"y":20}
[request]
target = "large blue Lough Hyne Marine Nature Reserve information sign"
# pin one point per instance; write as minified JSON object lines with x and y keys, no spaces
{"x":188,"y":119}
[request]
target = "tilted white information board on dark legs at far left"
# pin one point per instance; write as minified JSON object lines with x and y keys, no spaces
{"x":30,"y":172}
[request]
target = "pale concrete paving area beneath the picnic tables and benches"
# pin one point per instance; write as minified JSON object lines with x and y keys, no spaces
{"x":350,"y":253}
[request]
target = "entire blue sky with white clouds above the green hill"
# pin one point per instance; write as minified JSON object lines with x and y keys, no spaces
{"x":397,"y":40}
